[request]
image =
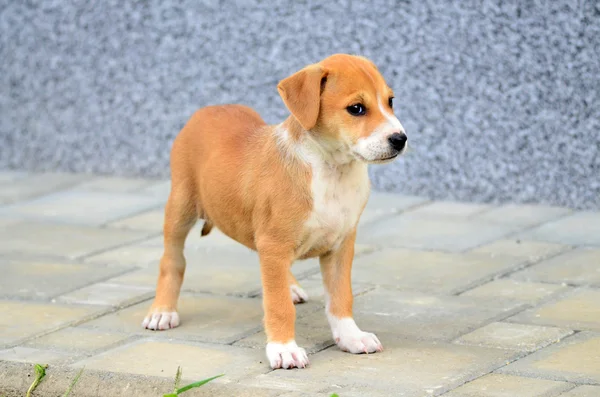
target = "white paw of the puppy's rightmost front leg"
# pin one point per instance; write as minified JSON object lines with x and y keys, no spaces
{"x":350,"y":338}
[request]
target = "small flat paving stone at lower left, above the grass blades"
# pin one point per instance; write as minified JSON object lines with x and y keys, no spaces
{"x":77,"y":339}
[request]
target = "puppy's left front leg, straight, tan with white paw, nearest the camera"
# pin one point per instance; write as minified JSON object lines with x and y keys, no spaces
{"x":280,"y":314}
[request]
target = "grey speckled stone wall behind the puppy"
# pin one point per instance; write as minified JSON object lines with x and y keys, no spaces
{"x":501,"y":101}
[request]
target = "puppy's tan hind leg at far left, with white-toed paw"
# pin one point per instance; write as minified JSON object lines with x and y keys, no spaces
{"x":180,"y":217}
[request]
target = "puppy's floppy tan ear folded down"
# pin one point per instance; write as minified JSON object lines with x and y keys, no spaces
{"x":301,"y":93}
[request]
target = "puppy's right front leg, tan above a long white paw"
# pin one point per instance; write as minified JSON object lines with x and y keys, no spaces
{"x":336,"y":268}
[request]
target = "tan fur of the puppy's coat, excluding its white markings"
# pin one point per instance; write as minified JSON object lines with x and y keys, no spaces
{"x":238,"y":174}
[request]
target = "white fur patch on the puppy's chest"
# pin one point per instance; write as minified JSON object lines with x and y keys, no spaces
{"x":339,"y":195}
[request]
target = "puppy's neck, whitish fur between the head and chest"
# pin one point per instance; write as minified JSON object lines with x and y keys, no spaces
{"x":309,"y":147}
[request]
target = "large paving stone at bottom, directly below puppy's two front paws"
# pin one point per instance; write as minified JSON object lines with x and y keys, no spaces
{"x":408,"y":368}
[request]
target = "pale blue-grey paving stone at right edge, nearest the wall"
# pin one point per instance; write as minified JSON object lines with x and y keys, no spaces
{"x":582,"y":228}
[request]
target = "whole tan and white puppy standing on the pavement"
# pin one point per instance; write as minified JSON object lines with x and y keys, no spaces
{"x":291,"y":191}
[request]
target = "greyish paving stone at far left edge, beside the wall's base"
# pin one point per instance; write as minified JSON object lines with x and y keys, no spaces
{"x":34,"y":185}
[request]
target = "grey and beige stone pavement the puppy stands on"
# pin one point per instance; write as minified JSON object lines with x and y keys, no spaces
{"x":468,"y":299}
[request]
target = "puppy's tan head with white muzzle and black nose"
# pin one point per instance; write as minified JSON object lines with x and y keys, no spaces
{"x":347,"y":105}
